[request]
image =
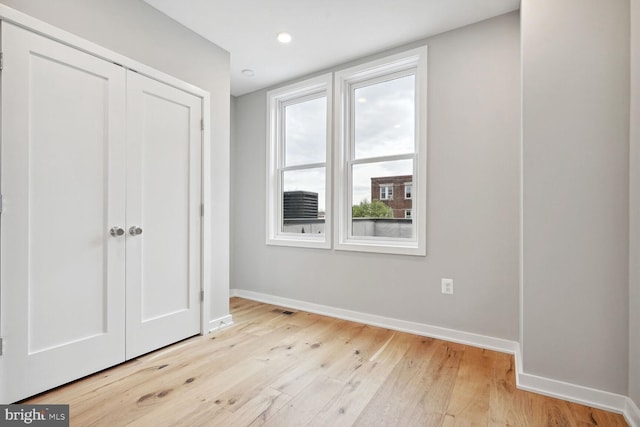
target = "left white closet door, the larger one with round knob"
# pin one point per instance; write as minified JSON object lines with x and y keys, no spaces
{"x":62,"y":273}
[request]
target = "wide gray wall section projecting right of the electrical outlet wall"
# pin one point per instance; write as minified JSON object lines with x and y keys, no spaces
{"x":576,"y":191}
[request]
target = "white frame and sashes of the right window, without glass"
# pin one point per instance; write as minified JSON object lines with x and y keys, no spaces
{"x":345,"y":81}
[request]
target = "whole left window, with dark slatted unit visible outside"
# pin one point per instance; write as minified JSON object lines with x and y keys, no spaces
{"x":299,"y":172}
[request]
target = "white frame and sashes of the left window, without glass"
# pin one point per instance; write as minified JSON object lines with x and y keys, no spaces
{"x":277,"y":100}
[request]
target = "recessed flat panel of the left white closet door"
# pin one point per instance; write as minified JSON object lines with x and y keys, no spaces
{"x":66,"y":213}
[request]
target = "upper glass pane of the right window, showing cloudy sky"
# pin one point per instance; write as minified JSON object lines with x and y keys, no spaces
{"x":384,"y":118}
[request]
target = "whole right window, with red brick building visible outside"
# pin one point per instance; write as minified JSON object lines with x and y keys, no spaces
{"x":380,"y":121}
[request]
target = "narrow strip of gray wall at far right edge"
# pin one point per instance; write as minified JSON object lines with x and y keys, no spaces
{"x":634,"y":255}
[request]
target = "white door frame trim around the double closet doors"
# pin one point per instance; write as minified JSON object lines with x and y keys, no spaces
{"x":27,"y":22}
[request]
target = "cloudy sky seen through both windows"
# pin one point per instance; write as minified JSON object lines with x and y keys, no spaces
{"x":384,"y":125}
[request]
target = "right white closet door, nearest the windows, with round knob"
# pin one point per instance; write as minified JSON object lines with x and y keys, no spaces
{"x":163,"y":201}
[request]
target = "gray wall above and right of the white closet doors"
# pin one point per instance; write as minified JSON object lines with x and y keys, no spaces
{"x":136,"y":30}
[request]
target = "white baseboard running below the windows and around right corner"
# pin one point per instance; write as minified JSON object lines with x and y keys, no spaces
{"x":549,"y":387}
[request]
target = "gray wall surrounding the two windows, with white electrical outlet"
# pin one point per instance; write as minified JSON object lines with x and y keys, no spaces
{"x":472,"y":201}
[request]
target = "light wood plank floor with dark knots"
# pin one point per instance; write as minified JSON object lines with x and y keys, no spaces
{"x":302,"y":369}
